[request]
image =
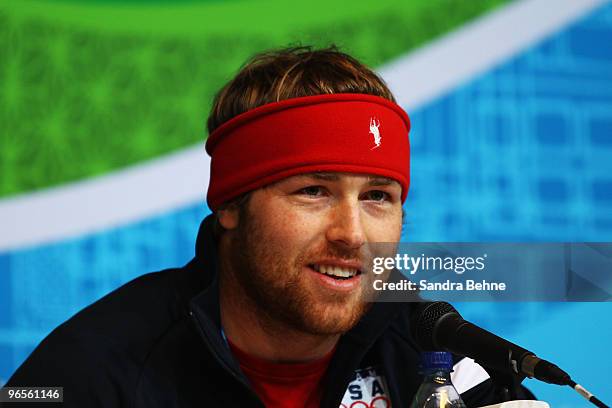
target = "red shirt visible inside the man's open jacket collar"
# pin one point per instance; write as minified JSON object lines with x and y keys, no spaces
{"x":284,"y":385}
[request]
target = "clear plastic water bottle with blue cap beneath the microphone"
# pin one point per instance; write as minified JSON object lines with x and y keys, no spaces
{"x":437,"y":390}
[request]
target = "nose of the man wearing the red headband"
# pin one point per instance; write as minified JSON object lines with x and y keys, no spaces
{"x":346,"y":226}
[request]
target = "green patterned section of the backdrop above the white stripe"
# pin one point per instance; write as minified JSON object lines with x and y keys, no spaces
{"x":80,"y":101}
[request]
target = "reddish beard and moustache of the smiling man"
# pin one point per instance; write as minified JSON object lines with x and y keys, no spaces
{"x":278,"y":288}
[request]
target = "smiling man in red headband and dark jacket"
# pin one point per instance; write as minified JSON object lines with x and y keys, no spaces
{"x":310,"y":165}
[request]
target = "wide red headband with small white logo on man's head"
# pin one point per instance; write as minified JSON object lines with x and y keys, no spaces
{"x":353,"y":133}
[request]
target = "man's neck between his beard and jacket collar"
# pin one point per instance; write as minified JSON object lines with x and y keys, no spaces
{"x":257,"y":333}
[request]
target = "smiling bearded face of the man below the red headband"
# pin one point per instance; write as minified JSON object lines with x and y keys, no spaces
{"x":300,"y":249}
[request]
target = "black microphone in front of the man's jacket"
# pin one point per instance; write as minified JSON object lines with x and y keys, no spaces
{"x":438,"y":326}
